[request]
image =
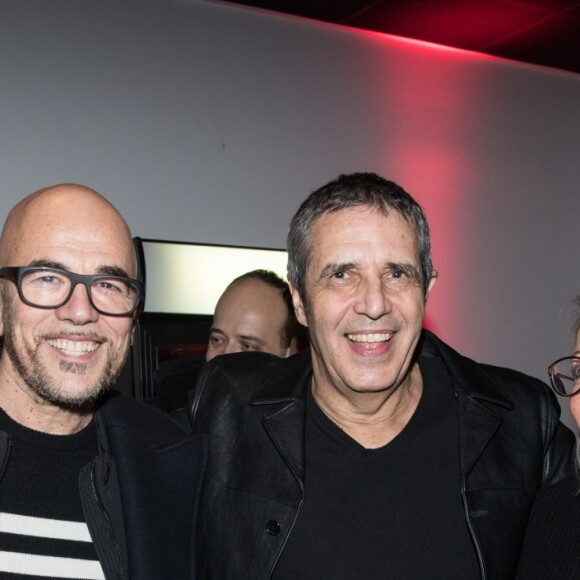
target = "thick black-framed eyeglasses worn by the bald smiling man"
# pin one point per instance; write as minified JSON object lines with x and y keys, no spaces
{"x":43,"y":287}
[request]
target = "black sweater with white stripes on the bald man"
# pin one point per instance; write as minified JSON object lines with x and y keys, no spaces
{"x":43,"y":532}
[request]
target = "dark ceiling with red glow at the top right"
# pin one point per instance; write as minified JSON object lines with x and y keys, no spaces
{"x":543,"y":32}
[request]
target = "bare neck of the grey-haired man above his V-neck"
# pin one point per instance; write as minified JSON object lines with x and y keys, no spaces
{"x":372,"y":419}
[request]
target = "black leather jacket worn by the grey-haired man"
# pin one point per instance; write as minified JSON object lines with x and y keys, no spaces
{"x":253,"y":408}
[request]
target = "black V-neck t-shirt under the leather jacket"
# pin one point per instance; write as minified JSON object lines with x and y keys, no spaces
{"x":390,"y":513}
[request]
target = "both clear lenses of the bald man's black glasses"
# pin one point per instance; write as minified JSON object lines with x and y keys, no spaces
{"x":50,"y":288}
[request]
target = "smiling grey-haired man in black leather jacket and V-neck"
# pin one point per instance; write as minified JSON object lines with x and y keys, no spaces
{"x":380,"y":452}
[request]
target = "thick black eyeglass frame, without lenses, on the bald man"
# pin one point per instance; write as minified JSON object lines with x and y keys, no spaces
{"x":15,"y":274}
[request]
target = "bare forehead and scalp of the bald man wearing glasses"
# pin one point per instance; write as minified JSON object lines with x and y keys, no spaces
{"x":79,"y":232}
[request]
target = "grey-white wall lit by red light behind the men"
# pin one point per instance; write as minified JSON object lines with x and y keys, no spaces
{"x":207,"y":122}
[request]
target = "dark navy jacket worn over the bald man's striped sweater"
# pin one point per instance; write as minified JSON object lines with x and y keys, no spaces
{"x":140,"y":494}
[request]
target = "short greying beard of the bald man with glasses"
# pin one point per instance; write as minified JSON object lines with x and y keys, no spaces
{"x":37,"y":379}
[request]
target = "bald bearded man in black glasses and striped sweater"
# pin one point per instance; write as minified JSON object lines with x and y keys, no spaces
{"x":92,"y":485}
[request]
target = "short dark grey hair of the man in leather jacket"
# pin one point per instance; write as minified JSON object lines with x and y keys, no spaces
{"x":351,"y":191}
